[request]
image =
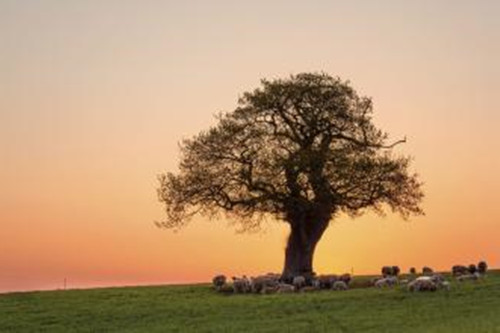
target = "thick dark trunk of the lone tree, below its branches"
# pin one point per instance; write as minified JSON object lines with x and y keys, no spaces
{"x":300,"y":248}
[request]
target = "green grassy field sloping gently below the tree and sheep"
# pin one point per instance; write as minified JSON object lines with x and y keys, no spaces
{"x":468,"y":307}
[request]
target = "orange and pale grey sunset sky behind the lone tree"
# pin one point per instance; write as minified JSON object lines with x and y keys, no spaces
{"x":96,"y":95}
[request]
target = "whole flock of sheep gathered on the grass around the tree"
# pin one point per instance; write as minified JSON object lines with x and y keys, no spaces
{"x":272,"y":283}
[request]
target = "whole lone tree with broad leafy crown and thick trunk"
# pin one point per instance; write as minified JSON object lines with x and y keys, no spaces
{"x":300,"y":150}
